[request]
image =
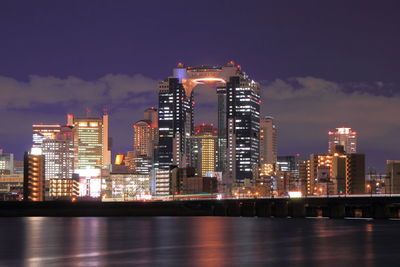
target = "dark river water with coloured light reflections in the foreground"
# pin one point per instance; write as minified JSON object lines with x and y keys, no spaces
{"x":196,"y":241}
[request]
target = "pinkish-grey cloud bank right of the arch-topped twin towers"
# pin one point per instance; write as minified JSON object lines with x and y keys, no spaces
{"x":305,"y":108}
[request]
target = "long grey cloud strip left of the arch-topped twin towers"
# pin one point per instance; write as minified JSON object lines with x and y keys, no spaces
{"x":110,"y":90}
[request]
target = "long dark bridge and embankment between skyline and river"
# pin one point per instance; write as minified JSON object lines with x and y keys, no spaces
{"x":374,"y":207}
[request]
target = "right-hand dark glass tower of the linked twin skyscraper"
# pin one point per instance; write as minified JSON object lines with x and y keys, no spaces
{"x":243,"y":124}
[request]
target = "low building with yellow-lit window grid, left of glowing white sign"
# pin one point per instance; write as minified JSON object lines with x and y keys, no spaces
{"x":63,"y":188}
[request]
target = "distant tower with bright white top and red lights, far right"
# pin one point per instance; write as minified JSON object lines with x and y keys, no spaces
{"x":345,"y":137}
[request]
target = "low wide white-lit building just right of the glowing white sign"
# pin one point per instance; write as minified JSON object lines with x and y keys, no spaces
{"x":127,"y":186}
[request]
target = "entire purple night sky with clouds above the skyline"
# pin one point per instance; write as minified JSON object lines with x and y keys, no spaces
{"x":322,"y":65}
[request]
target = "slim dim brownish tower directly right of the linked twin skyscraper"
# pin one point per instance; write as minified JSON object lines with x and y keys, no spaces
{"x":268,"y":143}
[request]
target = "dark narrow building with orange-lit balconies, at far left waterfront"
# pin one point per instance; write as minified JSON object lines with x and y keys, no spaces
{"x":34,"y":177}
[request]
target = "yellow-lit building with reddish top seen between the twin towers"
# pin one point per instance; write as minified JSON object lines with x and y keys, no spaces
{"x":204,"y":149}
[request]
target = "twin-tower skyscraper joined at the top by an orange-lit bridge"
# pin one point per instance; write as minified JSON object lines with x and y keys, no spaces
{"x":238,"y":98}
